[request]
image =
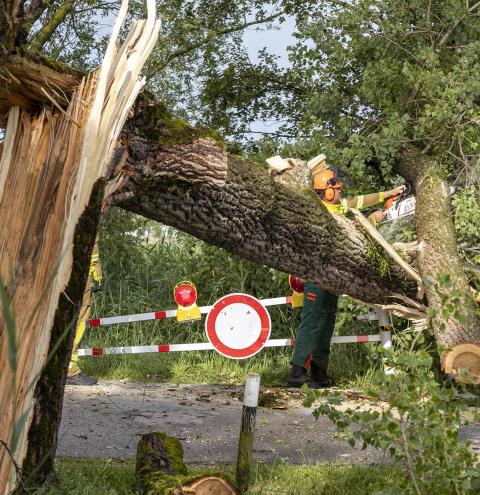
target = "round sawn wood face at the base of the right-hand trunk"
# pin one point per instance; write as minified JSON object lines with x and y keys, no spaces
{"x":463,"y":362}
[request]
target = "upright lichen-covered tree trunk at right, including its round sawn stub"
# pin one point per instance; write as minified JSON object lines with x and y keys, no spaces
{"x":455,"y":322}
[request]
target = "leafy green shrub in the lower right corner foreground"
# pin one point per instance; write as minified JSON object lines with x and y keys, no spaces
{"x":416,"y":421}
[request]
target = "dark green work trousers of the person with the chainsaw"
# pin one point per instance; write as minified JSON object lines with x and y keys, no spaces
{"x":316,"y":328}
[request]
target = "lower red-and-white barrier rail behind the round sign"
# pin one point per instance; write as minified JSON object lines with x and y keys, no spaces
{"x":206,"y":346}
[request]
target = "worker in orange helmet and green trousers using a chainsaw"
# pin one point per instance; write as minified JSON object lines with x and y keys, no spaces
{"x":312,"y":346}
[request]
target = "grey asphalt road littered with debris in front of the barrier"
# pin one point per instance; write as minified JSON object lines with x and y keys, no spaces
{"x":106,"y":420}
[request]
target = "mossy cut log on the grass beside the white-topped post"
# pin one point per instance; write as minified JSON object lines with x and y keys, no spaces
{"x":161,"y":471}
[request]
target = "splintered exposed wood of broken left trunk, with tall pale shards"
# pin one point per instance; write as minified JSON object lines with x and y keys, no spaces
{"x":49,"y":164}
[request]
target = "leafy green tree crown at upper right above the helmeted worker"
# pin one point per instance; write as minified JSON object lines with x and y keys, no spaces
{"x":367,"y":78}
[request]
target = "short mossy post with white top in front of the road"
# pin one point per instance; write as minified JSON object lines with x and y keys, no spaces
{"x":245,"y":444}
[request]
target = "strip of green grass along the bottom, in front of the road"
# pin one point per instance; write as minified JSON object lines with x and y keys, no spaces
{"x":107,"y":477}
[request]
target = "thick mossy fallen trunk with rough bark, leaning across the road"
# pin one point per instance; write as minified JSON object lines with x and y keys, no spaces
{"x":184,"y":179}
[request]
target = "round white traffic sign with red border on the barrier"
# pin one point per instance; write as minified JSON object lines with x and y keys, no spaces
{"x":238,"y":325}
